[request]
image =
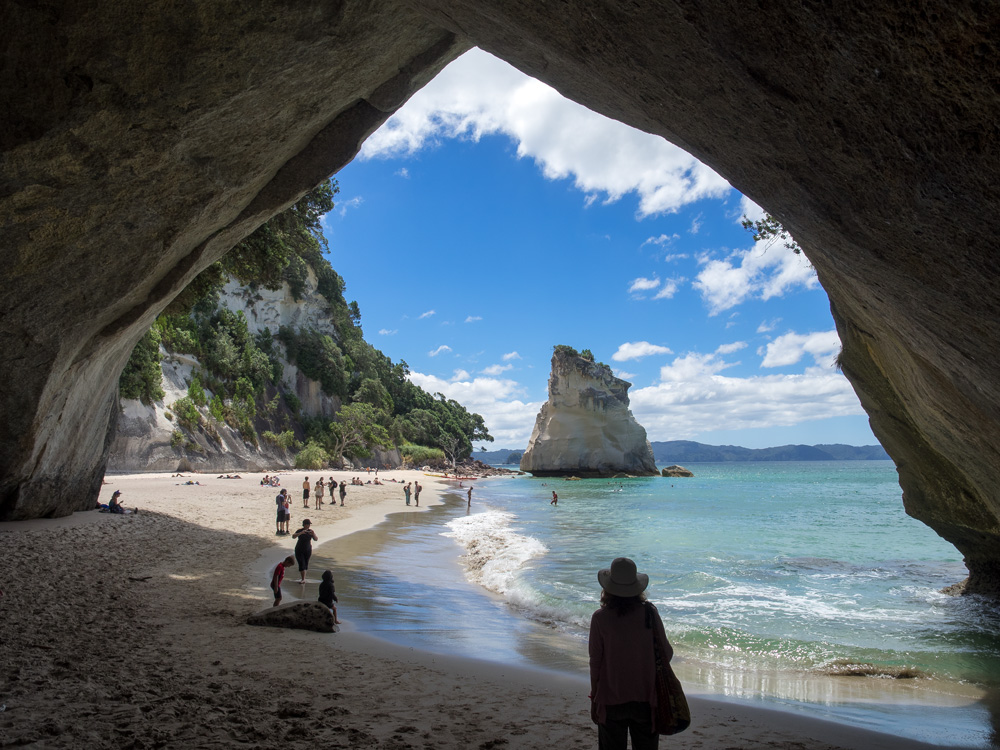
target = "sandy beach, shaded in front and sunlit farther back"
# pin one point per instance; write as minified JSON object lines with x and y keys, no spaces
{"x":129,"y":631}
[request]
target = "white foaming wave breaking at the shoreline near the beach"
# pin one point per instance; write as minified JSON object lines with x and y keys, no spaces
{"x":495,"y":554}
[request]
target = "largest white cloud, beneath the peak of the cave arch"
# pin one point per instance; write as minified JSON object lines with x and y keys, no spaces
{"x":478,"y":95}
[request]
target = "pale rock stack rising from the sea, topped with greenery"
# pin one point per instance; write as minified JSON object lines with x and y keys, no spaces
{"x":585,"y":428}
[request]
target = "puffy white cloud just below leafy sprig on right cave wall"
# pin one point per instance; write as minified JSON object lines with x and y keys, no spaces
{"x":764,"y":271}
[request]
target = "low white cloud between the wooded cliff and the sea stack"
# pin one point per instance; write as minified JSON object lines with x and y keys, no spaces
{"x":507,"y":417}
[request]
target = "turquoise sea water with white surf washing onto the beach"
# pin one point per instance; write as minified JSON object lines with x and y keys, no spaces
{"x":768,"y":576}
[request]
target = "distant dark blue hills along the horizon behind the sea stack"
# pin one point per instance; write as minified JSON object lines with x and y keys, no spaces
{"x":679,"y":451}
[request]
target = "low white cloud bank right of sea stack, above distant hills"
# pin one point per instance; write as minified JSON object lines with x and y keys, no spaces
{"x":693,"y":396}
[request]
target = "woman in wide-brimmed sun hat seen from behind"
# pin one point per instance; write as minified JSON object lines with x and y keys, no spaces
{"x":622,"y":665}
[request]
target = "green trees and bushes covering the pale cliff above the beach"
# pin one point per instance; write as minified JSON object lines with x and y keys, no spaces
{"x":239,"y":383}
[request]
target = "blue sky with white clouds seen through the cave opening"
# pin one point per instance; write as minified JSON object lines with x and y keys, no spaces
{"x":491,"y":219}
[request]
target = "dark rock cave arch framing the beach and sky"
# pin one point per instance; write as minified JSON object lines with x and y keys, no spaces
{"x":140,"y":143}
